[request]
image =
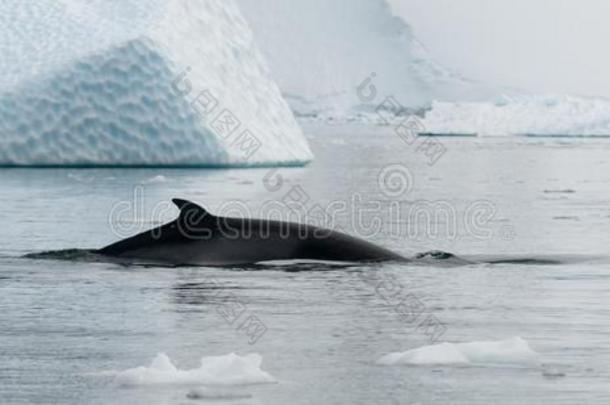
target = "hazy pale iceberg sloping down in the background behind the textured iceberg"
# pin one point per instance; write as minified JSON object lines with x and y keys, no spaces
{"x":341,"y":58}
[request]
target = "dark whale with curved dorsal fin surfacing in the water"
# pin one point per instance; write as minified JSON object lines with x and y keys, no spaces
{"x":199,"y":238}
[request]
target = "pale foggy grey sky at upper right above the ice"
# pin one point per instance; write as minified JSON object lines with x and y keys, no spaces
{"x":551,"y":46}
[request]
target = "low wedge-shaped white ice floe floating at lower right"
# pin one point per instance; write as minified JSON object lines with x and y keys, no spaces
{"x":509,"y":351}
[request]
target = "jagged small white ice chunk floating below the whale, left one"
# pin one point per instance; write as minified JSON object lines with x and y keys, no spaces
{"x":230,"y":369}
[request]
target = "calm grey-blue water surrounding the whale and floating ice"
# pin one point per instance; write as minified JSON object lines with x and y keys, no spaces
{"x":64,"y":325}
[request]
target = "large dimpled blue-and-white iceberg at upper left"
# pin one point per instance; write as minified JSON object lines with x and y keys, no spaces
{"x":138,"y":82}
